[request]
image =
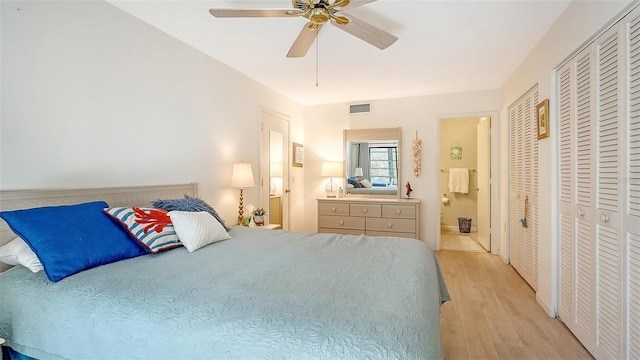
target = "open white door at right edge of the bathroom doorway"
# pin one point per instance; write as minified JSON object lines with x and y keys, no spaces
{"x":483,"y":177}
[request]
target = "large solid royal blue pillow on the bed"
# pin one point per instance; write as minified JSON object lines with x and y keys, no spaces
{"x":71,"y":238}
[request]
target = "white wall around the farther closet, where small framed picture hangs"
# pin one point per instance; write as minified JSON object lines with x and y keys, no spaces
{"x":578,"y":23}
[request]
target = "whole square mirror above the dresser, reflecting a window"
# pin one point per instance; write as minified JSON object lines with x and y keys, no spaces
{"x":373,"y":162}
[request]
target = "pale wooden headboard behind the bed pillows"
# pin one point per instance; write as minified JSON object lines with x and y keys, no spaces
{"x":118,"y":196}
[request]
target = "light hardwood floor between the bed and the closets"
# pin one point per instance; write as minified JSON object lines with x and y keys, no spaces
{"x":493,"y":314}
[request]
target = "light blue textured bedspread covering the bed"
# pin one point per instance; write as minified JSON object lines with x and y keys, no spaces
{"x":261,"y":295}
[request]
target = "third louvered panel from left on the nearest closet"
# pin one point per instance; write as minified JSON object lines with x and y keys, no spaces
{"x":608,"y":197}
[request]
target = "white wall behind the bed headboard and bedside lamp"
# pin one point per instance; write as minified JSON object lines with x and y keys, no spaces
{"x":94,"y":97}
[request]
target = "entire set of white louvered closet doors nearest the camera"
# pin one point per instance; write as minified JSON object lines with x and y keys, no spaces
{"x":599,"y":192}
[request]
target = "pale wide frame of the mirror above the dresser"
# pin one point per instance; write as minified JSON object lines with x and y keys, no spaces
{"x":372,"y":135}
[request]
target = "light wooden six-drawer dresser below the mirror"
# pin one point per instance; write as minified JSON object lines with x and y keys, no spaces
{"x":377,"y":217}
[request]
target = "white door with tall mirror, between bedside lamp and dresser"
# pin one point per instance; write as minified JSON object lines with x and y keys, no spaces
{"x":274,"y":171}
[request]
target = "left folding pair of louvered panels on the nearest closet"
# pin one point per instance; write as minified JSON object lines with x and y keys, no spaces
{"x":577,"y":208}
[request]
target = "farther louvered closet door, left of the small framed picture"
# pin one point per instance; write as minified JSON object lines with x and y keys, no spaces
{"x":523,"y":187}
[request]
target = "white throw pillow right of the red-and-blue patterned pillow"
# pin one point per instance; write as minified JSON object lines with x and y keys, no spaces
{"x":197,"y":229}
